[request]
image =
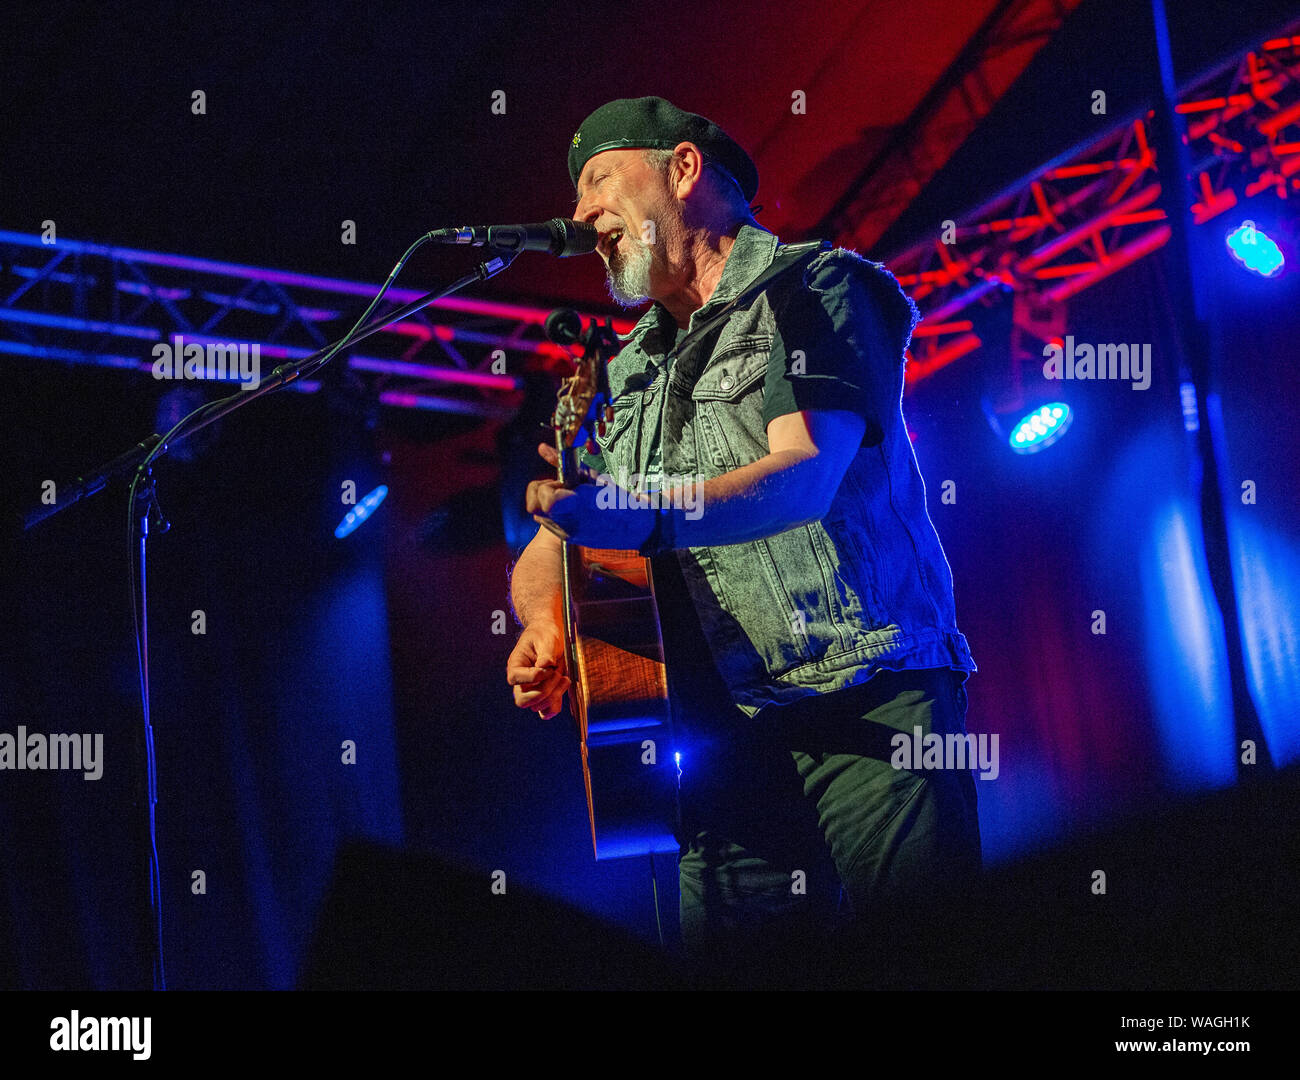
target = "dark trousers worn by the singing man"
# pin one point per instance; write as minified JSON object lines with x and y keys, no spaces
{"x":781,"y":812}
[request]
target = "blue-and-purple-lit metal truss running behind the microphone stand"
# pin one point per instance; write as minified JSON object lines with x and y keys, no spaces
{"x":83,"y":303}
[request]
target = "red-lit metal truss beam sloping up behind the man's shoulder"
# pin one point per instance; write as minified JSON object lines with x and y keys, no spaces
{"x":1095,"y":210}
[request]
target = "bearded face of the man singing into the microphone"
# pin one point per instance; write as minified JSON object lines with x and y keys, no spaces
{"x":629,"y":203}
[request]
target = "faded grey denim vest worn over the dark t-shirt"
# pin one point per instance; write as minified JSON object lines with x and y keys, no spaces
{"x":820,"y":608}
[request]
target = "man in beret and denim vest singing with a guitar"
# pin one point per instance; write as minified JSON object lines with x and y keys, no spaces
{"x":807,"y":602}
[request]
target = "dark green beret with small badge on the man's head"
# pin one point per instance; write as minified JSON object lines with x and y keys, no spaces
{"x":656,"y":124}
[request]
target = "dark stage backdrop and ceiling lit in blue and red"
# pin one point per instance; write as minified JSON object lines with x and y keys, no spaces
{"x":382,"y":115}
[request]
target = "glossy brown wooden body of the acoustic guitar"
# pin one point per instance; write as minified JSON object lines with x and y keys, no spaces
{"x":619,"y":695}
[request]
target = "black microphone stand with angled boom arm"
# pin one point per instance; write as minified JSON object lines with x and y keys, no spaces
{"x":145,"y":510}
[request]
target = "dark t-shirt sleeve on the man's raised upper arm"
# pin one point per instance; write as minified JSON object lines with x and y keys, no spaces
{"x":839,"y":342}
